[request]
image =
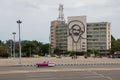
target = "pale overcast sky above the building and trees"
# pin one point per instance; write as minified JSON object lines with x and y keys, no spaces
{"x":36,"y":16}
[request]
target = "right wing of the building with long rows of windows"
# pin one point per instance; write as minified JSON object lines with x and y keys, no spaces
{"x":99,"y":36}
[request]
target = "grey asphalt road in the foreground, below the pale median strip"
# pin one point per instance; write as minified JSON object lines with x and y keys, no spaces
{"x":74,"y":75}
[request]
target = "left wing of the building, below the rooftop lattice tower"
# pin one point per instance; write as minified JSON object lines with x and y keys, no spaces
{"x":58,"y":36}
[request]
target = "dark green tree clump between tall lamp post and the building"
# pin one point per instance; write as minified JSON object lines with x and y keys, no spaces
{"x":34,"y":47}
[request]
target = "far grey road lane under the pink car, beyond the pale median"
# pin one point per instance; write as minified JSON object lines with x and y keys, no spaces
{"x":10,"y":68}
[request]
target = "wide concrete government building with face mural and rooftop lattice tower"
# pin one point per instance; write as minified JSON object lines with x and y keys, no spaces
{"x":78,"y":35}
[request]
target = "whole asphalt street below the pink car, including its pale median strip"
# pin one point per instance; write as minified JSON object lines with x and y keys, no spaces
{"x":83,"y":72}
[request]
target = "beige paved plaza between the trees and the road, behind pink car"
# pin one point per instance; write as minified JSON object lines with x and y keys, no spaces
{"x":64,"y":60}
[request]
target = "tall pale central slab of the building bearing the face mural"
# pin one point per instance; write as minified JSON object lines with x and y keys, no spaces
{"x":77,"y":34}
